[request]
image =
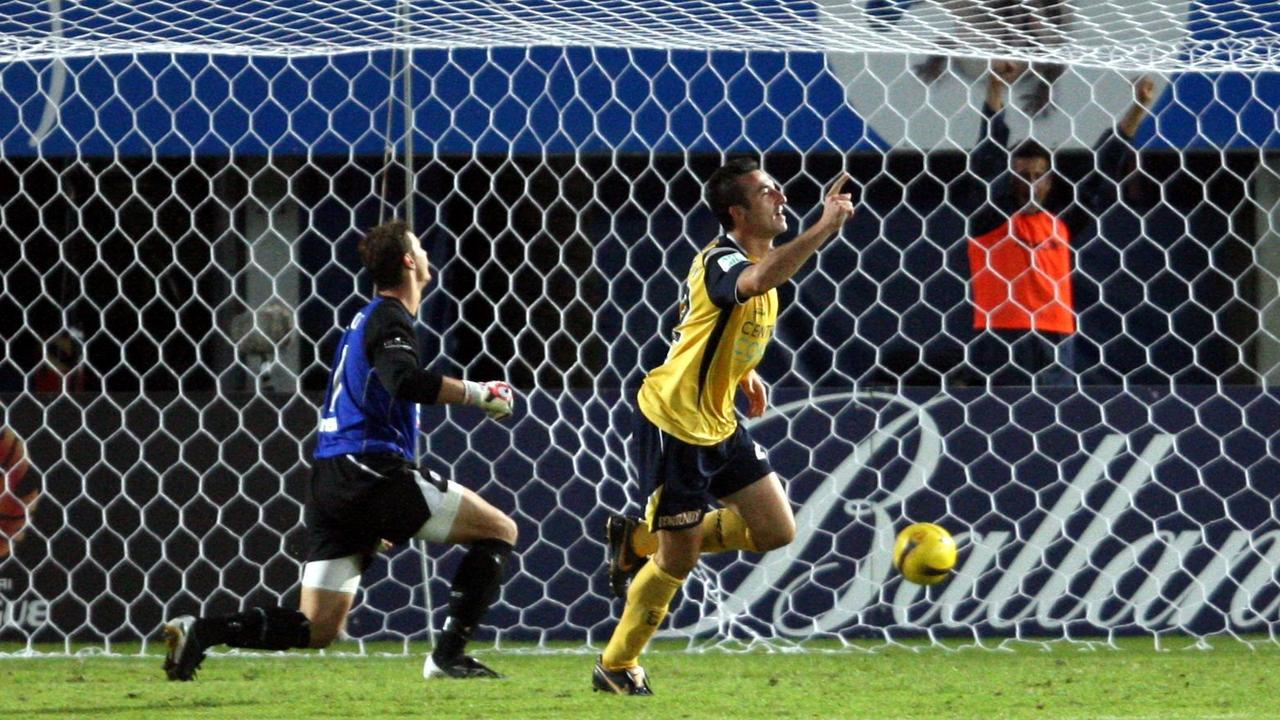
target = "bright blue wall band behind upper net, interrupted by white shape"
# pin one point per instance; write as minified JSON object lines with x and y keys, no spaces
{"x":522,"y":102}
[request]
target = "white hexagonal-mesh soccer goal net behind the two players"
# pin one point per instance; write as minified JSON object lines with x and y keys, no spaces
{"x":182,"y":186}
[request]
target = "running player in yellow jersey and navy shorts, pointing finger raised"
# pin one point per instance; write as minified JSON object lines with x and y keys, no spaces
{"x":689,"y":445}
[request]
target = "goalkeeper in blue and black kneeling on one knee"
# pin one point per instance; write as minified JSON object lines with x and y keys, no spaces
{"x":367,"y":486}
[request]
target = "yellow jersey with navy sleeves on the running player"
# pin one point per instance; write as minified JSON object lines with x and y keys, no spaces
{"x":719,"y":339}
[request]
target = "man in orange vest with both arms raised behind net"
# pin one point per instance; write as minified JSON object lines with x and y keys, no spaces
{"x":1021,"y":253}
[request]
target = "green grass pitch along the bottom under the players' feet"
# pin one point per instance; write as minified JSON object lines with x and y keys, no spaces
{"x":1067,"y":682}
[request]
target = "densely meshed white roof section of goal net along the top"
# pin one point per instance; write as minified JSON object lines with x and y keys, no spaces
{"x":1208,"y":35}
